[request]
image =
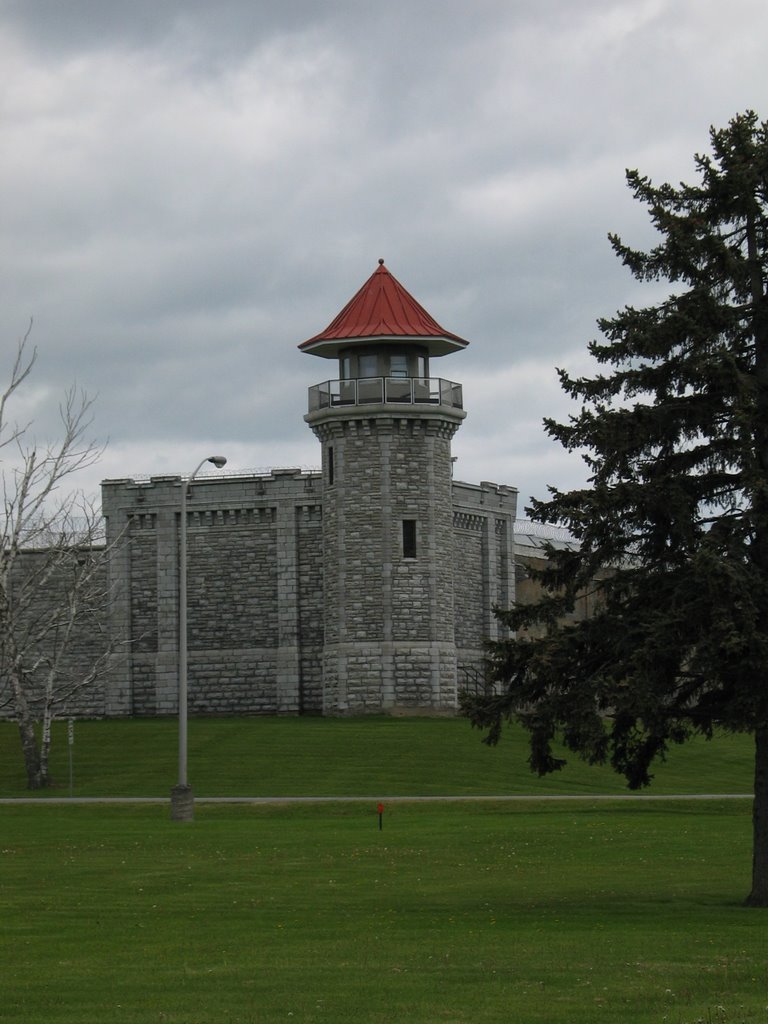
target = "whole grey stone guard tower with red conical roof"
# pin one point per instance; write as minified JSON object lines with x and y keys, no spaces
{"x":386,"y":426}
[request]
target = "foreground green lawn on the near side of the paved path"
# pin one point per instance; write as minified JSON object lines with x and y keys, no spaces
{"x":457,"y":914}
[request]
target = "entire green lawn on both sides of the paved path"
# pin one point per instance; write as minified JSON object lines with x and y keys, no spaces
{"x":459,"y":914}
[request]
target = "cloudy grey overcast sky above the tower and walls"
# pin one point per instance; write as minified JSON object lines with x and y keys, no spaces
{"x":190,"y":189}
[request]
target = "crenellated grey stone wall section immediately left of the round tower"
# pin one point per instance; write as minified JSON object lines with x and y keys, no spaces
{"x":253,"y":593}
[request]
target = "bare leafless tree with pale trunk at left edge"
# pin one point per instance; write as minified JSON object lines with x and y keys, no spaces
{"x":54,"y":580}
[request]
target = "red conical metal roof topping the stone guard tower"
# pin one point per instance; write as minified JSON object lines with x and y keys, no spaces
{"x":383,"y":312}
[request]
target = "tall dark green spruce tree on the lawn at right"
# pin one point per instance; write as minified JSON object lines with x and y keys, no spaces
{"x":672,"y":531}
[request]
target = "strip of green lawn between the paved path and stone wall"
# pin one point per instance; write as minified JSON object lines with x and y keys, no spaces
{"x":376,"y":757}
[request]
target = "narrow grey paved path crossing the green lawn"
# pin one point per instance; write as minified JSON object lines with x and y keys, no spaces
{"x":374,"y":800}
